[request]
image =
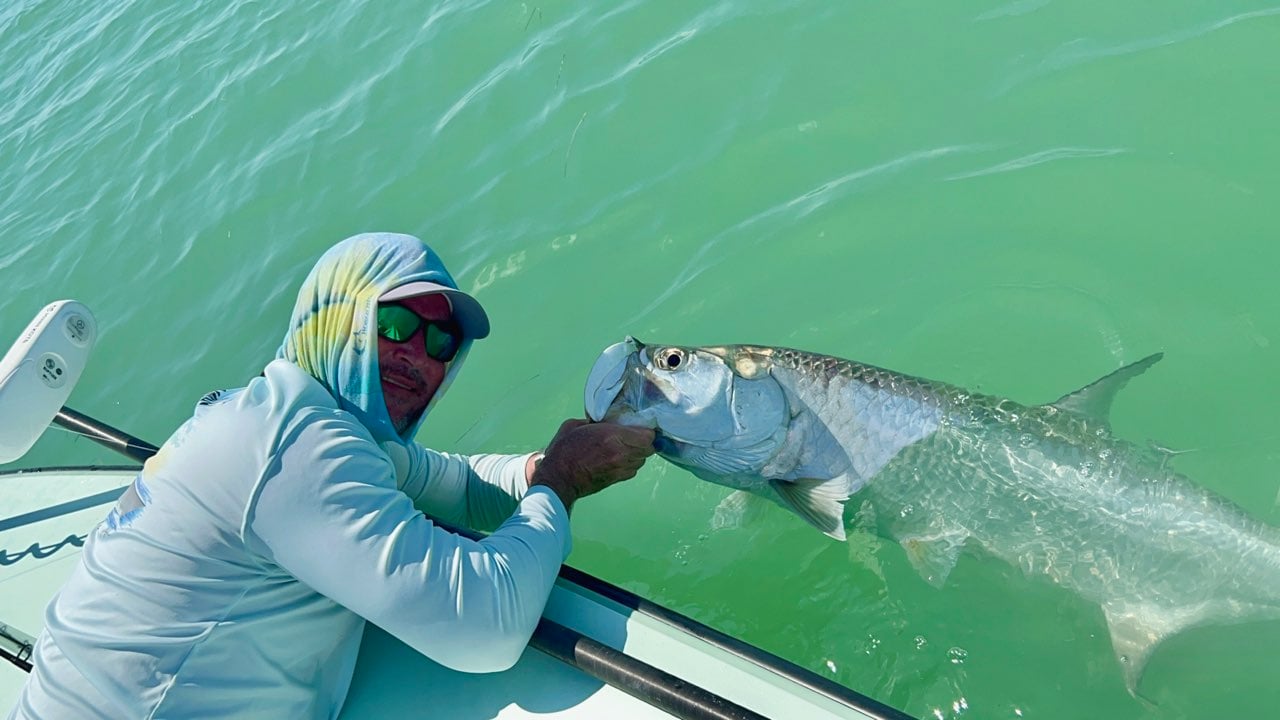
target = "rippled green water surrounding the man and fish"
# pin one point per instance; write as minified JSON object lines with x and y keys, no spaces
{"x":1016,"y":198}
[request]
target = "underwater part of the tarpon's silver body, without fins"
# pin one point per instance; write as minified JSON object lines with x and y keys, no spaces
{"x":1092,"y":513}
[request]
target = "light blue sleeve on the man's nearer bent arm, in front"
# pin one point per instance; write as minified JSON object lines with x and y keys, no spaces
{"x":469,"y":605}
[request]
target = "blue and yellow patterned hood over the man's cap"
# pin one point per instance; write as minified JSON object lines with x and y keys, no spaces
{"x":333,"y":334}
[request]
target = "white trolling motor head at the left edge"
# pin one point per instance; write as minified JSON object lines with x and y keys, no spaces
{"x":40,"y":371}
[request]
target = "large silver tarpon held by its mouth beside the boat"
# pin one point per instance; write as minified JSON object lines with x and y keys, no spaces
{"x":1046,"y":489}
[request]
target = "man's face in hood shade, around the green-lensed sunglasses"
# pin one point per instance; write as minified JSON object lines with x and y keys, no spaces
{"x":410,"y":376}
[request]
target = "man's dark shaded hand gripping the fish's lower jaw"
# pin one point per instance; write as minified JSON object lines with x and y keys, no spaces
{"x":586,"y":458}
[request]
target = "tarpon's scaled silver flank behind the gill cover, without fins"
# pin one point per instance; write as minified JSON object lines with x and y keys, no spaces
{"x":1049,"y":491}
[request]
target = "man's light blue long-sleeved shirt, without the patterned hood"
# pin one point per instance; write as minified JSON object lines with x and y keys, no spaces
{"x":234,"y":580}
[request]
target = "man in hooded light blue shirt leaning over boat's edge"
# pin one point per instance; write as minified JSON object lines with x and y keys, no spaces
{"x":235,"y":577}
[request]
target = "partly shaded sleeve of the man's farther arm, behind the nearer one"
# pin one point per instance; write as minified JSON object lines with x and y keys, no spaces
{"x":476,"y":491}
